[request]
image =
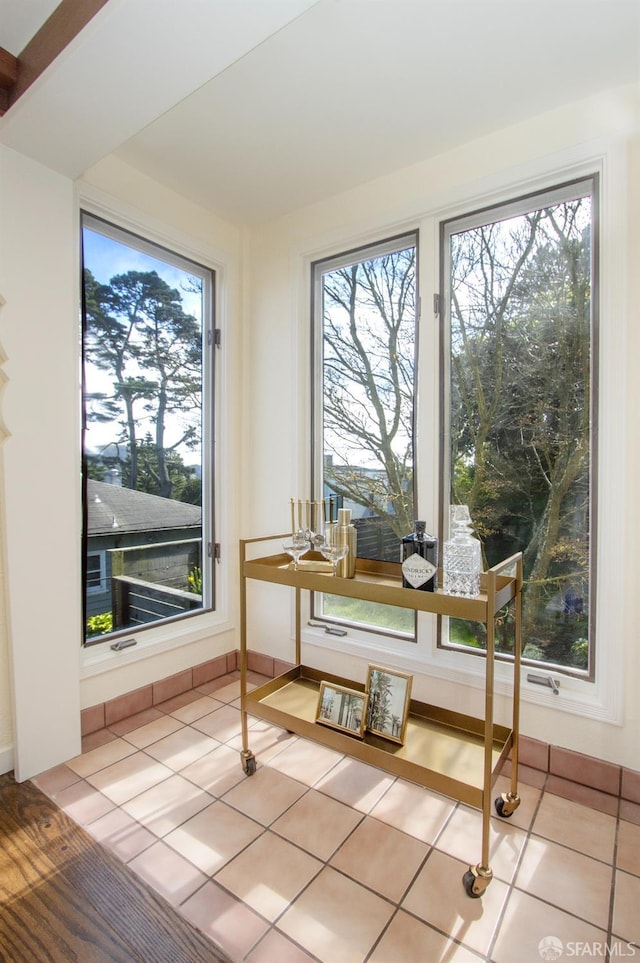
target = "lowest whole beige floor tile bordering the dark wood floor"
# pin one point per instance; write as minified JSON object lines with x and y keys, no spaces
{"x":229,"y":923}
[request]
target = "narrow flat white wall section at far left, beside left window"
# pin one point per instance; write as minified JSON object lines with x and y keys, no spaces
{"x":41,"y":483}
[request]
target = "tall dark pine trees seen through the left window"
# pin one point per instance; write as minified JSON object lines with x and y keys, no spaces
{"x":137,"y":331}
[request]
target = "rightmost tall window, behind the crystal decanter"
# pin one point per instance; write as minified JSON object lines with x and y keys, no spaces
{"x":519,"y":409}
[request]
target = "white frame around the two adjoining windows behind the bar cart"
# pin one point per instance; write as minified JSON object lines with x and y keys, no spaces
{"x":600,"y":699}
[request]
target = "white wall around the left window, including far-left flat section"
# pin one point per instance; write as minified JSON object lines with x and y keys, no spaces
{"x":41,"y":659}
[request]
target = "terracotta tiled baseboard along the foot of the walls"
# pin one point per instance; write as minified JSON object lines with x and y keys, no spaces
{"x":596,"y":783}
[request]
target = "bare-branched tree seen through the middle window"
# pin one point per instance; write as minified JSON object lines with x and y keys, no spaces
{"x":369,"y":346}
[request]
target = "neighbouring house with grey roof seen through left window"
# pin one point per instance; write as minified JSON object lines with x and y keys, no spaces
{"x":120,"y":519}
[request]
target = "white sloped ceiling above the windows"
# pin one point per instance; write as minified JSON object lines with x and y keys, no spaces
{"x":254,"y":108}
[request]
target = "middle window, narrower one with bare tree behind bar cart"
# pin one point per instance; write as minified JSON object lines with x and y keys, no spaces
{"x":364,"y":377}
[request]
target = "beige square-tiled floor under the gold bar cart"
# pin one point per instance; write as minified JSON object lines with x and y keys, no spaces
{"x":318,"y":857}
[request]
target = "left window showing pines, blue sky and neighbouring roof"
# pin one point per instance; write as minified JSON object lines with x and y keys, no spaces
{"x":147,"y":352}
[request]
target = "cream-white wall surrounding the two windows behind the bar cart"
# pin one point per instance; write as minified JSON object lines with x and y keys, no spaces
{"x":600,"y":720}
